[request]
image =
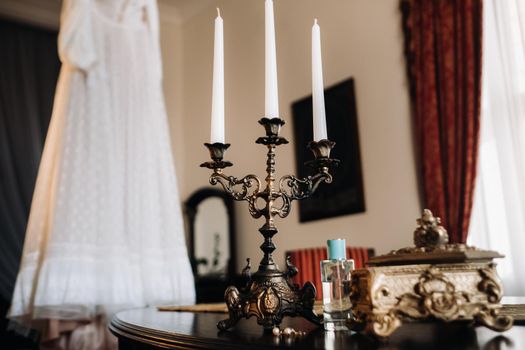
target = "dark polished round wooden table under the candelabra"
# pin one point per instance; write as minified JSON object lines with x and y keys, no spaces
{"x":150,"y":329}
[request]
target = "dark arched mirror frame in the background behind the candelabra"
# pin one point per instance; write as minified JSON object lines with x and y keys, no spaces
{"x":191,"y":208}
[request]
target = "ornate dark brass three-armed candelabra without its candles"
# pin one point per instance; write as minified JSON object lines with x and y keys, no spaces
{"x":270,"y":293}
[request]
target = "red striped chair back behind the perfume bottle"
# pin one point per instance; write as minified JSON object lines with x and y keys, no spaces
{"x":307,"y":260}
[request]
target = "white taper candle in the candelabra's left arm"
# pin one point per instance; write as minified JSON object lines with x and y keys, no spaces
{"x":217,"y":102}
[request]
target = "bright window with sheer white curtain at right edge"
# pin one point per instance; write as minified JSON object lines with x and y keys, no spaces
{"x":498,"y":216}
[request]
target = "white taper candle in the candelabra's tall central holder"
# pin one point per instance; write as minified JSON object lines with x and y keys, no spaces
{"x":271,"y":92}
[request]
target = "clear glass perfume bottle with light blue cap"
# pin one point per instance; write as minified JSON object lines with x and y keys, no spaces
{"x":335,"y":275}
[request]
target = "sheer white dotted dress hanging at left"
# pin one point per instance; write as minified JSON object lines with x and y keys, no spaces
{"x":105,"y":230}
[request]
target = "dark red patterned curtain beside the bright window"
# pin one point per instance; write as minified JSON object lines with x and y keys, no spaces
{"x":443,"y":49}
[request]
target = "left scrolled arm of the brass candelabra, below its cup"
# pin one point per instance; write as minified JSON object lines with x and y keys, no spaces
{"x":249,"y":185}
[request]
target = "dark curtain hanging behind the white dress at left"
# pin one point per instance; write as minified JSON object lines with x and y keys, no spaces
{"x":29,"y":68}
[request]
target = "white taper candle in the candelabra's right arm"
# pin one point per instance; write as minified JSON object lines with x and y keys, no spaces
{"x":319,"y":116}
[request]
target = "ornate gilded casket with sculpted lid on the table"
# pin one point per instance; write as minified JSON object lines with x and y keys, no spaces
{"x":432,"y":281}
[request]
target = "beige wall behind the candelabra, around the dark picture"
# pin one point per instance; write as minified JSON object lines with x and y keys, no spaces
{"x":360,"y":38}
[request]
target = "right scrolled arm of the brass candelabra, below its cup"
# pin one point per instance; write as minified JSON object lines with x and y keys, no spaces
{"x":297,"y":189}
